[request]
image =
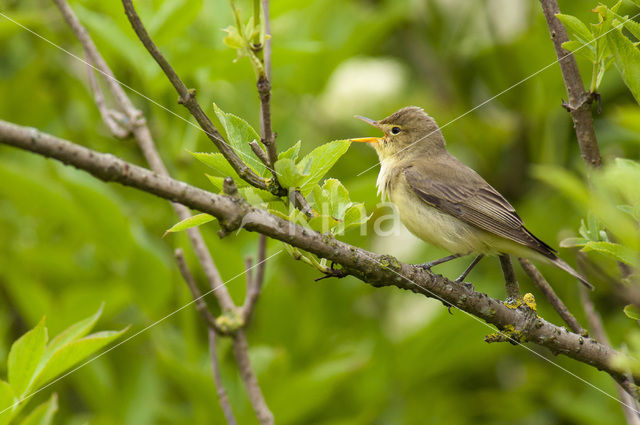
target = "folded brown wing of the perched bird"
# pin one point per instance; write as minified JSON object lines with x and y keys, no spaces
{"x":455,"y":189}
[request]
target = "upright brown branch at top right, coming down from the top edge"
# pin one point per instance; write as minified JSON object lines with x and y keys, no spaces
{"x":579,"y":100}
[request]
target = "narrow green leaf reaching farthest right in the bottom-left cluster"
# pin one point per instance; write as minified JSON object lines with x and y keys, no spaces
{"x":72,"y":353}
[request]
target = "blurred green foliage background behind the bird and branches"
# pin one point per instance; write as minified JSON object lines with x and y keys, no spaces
{"x":334,"y":352}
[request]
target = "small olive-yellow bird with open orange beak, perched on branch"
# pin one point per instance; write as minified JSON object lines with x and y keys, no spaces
{"x":444,"y":202}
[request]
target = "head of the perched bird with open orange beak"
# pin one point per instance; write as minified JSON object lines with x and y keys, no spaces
{"x":407,"y":131}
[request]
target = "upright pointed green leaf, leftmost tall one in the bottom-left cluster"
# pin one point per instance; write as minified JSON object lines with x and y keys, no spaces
{"x":24,"y":357}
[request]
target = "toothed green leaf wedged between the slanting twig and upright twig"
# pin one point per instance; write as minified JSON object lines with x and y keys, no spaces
{"x":239,"y":135}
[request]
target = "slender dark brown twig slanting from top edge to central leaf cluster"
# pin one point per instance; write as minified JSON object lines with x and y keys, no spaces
{"x":188,"y":99}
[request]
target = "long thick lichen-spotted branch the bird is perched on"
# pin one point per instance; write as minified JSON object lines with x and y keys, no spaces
{"x":377,"y":270}
